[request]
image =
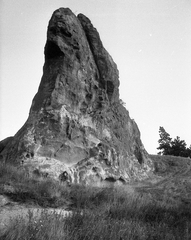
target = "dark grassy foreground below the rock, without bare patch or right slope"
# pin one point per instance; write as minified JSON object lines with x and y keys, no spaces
{"x":115,"y":214}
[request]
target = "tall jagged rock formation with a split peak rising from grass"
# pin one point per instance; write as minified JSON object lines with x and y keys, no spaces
{"x":77,"y":129}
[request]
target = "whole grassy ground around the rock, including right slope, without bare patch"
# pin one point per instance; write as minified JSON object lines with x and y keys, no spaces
{"x":159,"y":208}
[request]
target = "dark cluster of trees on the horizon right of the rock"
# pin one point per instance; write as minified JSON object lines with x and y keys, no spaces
{"x":174,"y":147}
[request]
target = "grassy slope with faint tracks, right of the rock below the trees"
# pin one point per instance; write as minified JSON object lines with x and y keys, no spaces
{"x":171,"y":180}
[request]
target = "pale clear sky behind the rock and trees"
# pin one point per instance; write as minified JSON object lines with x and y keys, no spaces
{"x":150,"y":41}
